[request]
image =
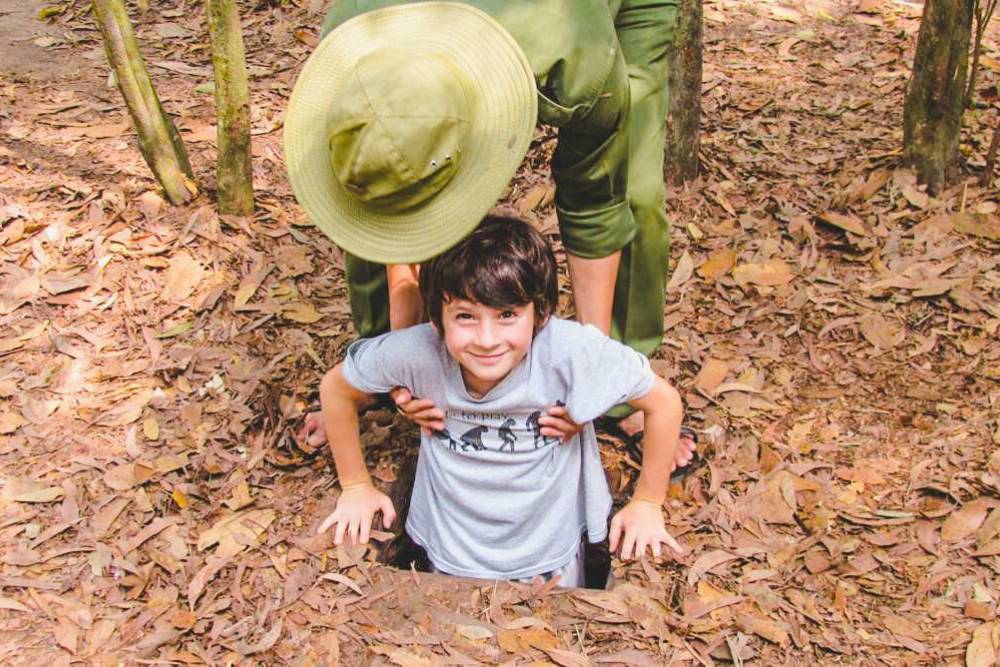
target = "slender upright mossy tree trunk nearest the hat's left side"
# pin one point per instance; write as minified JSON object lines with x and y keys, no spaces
{"x":234,"y":171}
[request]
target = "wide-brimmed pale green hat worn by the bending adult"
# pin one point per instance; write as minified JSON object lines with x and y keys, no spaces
{"x":405,"y":126}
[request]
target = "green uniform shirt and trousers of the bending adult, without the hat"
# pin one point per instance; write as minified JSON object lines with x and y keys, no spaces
{"x":589,"y":58}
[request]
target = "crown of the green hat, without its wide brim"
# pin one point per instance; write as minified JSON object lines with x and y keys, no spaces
{"x":397,"y":126}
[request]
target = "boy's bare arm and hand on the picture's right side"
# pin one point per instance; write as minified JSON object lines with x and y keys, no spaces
{"x":640,"y":523}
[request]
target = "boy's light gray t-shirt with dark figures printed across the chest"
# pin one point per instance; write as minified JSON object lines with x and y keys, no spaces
{"x":493,"y":498}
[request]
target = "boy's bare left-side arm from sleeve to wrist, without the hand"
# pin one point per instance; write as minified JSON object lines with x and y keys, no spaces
{"x":340,"y":403}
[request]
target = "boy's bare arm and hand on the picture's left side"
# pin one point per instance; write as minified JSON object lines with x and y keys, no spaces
{"x":359,"y":499}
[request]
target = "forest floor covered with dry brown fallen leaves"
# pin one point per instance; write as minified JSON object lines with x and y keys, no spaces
{"x":832,"y":327}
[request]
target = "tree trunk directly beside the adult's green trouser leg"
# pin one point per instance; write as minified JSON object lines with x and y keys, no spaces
{"x":684,"y":115}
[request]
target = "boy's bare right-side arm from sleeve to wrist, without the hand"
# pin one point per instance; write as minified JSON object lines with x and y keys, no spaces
{"x":663,"y":413}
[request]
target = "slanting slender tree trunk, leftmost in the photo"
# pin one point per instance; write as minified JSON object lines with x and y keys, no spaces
{"x":159,"y":141}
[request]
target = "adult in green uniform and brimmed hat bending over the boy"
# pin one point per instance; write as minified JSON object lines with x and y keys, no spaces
{"x":386,"y":150}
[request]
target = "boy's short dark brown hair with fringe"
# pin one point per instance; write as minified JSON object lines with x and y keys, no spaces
{"x":503,"y":263}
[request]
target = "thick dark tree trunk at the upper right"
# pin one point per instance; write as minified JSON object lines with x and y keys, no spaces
{"x":935,"y":99}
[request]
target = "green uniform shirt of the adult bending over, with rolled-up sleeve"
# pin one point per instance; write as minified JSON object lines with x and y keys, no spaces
{"x":583,"y":89}
